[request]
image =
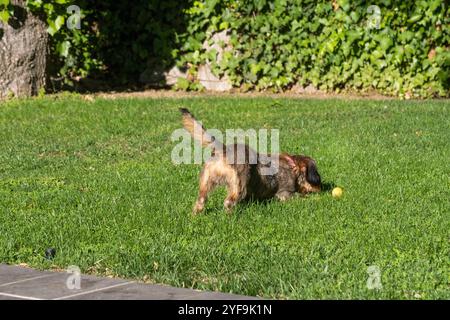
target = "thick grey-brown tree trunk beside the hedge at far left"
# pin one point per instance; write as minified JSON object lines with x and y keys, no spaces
{"x":23,"y":53}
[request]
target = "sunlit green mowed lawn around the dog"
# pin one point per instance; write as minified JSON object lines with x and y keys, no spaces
{"x":95,"y":180}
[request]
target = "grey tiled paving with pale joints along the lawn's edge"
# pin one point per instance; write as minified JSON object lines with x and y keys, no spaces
{"x":18,"y":283}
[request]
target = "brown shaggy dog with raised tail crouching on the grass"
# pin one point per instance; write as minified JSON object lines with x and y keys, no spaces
{"x":247,"y":180}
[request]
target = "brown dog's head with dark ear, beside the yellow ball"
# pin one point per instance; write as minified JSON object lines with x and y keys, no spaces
{"x":305,"y":168}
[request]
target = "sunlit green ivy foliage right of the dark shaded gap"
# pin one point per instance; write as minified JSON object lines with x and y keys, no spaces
{"x":396,"y":48}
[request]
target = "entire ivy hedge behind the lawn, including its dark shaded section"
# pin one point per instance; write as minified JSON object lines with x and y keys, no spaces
{"x":333,"y":45}
